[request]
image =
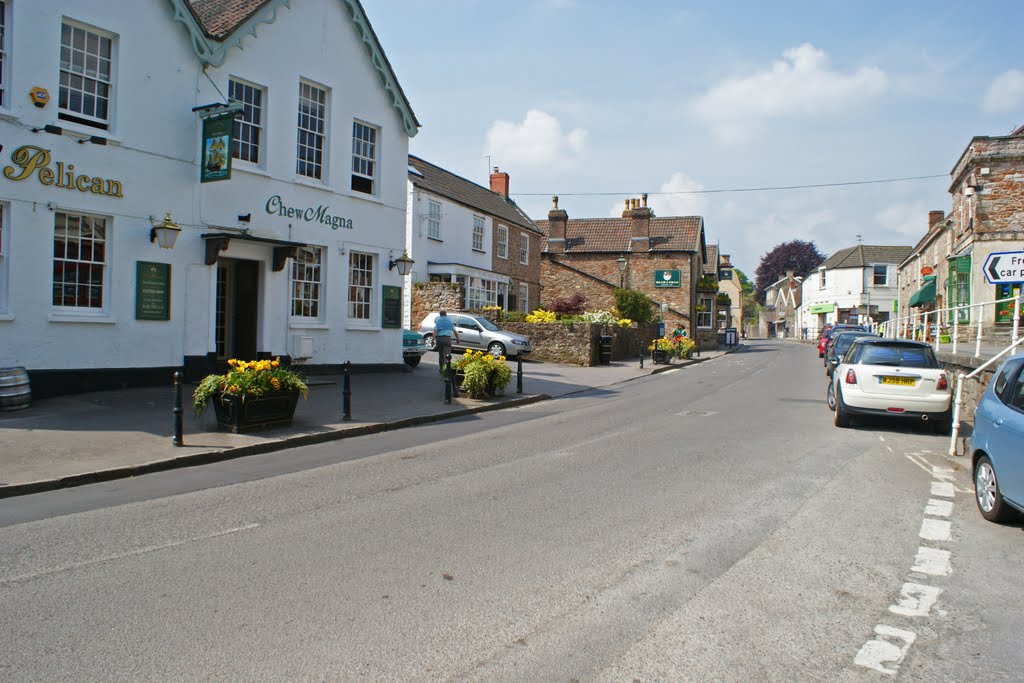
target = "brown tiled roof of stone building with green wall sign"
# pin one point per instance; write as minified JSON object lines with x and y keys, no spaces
{"x":613,"y":235}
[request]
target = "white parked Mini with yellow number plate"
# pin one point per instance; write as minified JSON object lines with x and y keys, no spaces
{"x":897,"y":378}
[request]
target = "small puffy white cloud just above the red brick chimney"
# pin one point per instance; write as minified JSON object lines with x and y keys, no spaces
{"x":539,"y":141}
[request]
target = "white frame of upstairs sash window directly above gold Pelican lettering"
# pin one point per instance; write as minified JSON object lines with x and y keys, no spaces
{"x":90,"y":71}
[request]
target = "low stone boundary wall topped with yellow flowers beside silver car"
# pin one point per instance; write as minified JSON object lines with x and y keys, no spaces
{"x":577,"y":344}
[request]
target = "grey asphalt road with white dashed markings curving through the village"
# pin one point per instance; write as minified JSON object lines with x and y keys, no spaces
{"x":706,"y":524}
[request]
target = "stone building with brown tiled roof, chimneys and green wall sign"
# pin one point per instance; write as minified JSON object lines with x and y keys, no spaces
{"x":663,"y":258}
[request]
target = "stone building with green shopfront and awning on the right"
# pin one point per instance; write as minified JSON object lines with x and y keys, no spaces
{"x":947,"y":268}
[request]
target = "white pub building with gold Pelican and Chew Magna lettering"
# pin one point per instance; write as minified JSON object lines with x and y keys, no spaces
{"x":187,"y":182}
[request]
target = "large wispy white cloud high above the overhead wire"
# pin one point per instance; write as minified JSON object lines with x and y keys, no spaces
{"x":801,"y":86}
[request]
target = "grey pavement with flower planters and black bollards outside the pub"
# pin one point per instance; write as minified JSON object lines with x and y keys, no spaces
{"x":104,"y":436}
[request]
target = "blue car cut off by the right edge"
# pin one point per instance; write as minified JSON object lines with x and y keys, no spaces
{"x":998,"y":444}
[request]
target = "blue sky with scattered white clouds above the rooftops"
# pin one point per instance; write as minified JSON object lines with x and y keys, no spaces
{"x":598,"y":102}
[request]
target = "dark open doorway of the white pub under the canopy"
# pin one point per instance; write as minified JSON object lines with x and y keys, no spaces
{"x":237,"y":327}
